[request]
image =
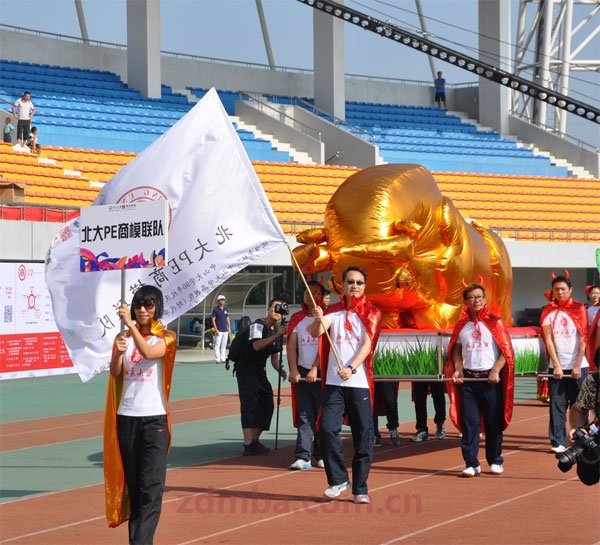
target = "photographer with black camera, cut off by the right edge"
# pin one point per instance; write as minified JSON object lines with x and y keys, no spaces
{"x":587,"y":400}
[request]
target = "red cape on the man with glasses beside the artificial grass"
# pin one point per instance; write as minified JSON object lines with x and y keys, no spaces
{"x":507,"y":374}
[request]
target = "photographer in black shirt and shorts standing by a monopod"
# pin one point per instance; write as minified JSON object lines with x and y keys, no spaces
{"x":265,"y":339}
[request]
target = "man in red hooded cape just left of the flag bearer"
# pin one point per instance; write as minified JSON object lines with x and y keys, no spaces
{"x":307,"y":395}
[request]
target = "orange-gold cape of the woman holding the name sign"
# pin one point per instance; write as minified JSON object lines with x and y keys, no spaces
{"x":115,"y":488}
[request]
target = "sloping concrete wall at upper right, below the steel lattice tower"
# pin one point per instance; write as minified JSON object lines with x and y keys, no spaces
{"x":557,"y":146}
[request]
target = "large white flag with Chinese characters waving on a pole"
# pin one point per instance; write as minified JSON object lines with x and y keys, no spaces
{"x":221,"y":220}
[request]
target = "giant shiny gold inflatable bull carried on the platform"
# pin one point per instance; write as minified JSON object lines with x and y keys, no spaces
{"x":417,"y":249}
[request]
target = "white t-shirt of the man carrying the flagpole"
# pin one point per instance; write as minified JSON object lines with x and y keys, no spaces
{"x":347,"y":344}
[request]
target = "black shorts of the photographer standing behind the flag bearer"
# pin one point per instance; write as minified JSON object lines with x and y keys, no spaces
{"x":256,"y":401}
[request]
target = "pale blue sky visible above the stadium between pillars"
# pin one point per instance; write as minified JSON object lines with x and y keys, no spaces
{"x":230,"y":29}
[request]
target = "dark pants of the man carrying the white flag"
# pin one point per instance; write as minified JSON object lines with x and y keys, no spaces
{"x":356,"y":403}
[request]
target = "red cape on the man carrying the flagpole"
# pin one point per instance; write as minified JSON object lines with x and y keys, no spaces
{"x":370,"y":316}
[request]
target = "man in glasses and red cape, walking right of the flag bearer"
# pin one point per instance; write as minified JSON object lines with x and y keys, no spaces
{"x":480,"y":348}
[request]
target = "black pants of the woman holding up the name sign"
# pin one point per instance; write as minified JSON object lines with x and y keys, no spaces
{"x":143,"y":441}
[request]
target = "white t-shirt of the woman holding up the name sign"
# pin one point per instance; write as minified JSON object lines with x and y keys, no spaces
{"x":143,"y":392}
